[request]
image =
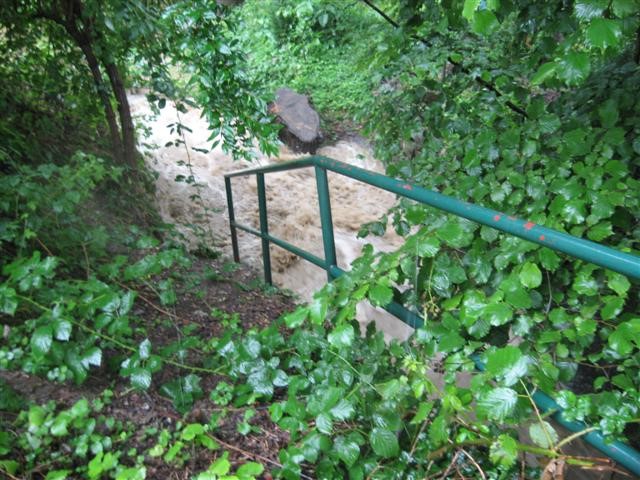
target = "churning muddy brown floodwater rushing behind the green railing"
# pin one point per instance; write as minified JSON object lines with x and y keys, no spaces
{"x":292,"y":202}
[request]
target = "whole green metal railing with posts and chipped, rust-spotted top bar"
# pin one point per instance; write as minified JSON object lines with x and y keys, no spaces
{"x":592,"y":252}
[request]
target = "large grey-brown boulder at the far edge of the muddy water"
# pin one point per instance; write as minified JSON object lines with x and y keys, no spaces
{"x":301,"y":131}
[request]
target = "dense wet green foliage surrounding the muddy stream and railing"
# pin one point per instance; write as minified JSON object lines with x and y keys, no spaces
{"x":530,"y":109}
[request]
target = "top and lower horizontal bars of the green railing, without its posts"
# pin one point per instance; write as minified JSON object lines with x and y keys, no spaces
{"x":592,"y":252}
